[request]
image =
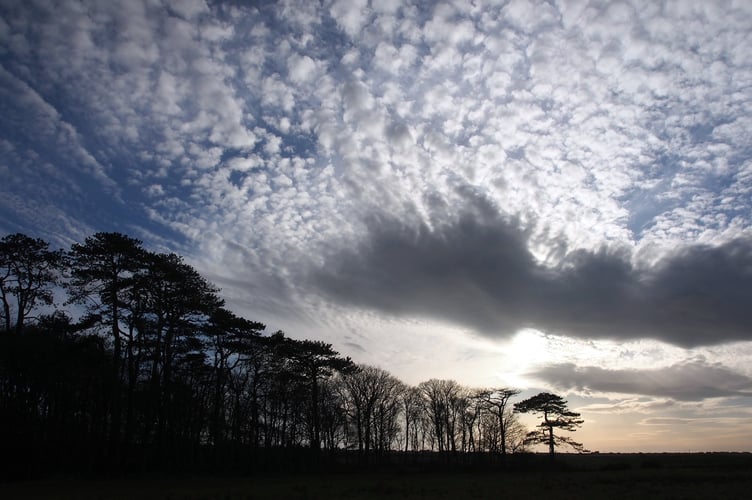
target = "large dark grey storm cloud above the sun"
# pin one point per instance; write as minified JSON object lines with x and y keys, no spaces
{"x":476,"y":271}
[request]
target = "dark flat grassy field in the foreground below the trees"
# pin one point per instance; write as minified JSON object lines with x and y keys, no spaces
{"x":607,"y":476}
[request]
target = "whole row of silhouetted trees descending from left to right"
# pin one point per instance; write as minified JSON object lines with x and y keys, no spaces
{"x":116,"y":359}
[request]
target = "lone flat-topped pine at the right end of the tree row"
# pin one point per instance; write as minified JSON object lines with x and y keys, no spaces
{"x":556,"y":414}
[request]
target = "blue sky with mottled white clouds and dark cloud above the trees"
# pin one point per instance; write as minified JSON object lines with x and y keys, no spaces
{"x":548,"y":195}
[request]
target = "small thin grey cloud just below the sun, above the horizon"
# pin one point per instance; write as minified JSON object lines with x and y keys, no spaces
{"x":689,"y":381}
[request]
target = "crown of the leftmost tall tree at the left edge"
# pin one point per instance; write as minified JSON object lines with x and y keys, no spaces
{"x":28,"y":272}
